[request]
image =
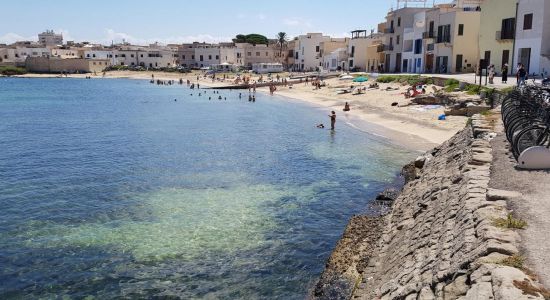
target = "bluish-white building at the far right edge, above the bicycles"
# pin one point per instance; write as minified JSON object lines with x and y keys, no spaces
{"x":532,"y":47}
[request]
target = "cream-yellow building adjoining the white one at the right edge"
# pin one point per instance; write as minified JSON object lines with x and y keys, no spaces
{"x":497,"y":32}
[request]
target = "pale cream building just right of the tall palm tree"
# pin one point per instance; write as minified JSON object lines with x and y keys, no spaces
{"x":307,"y":51}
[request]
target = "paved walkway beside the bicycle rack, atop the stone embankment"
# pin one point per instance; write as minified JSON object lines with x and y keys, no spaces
{"x":534,"y":207}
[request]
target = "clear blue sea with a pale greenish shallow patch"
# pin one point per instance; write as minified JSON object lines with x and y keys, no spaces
{"x":109,"y":188}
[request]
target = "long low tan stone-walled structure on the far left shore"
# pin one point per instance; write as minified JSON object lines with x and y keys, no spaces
{"x":69,"y":65}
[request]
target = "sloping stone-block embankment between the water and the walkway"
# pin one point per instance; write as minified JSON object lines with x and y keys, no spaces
{"x":440,"y":239}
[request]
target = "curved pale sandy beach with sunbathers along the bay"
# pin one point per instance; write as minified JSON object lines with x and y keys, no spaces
{"x":413,"y":126}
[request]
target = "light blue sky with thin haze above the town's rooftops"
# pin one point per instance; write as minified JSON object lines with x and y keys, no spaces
{"x":181,"y":21}
